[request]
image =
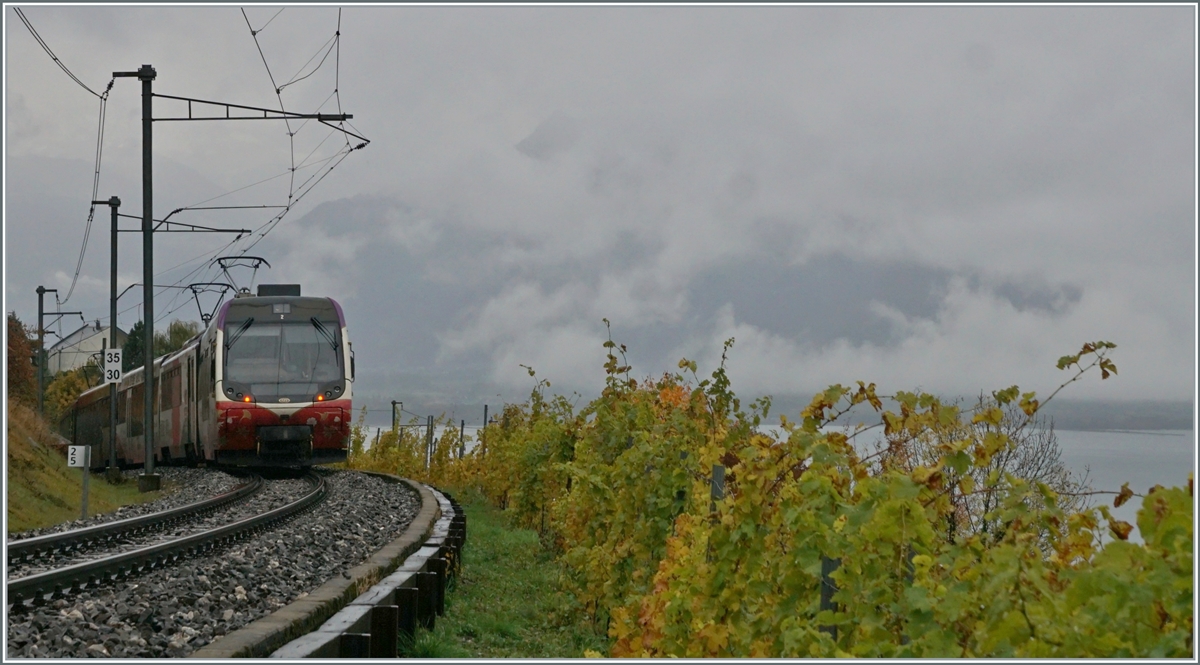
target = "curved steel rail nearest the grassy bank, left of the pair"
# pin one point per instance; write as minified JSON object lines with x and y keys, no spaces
{"x":79,"y":540}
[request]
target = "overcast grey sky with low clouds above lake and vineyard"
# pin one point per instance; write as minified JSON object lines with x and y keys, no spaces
{"x":938,"y":197}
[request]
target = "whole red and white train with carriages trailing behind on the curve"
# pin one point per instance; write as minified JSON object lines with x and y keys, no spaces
{"x":268,"y":384}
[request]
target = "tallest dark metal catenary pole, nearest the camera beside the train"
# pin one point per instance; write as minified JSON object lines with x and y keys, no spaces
{"x":147,"y":75}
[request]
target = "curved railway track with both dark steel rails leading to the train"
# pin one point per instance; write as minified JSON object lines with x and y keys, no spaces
{"x":37,"y":590}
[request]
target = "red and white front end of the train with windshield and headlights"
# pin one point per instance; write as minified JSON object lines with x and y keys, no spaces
{"x":284,"y":384}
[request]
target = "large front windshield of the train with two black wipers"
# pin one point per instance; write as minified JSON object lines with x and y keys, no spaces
{"x":293,"y":360}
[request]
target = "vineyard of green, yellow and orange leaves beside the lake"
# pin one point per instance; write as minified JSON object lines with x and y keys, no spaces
{"x":688,"y":532}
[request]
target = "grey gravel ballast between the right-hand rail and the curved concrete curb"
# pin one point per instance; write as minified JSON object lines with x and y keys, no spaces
{"x":177,"y":610}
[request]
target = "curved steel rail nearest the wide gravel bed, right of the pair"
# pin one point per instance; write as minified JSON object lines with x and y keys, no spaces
{"x":117,"y":567}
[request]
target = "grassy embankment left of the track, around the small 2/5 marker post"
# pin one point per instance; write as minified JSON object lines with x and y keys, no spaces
{"x":43,"y":489}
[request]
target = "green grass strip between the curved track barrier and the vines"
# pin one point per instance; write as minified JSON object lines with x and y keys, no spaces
{"x":506,"y":603}
